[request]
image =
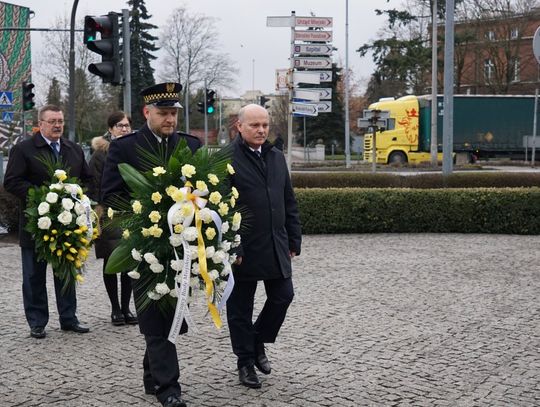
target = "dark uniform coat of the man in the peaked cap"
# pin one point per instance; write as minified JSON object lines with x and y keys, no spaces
{"x":152,"y":321}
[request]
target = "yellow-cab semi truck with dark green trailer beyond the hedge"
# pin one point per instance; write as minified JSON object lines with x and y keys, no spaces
{"x":484,"y":127}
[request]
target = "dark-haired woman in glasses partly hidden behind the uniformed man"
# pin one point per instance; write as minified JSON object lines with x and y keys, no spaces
{"x":119,"y":125}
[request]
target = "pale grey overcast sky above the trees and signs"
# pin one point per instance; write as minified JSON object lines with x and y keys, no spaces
{"x":258,"y":50}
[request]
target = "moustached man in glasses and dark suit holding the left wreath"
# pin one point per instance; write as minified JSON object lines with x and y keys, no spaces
{"x":23,"y":172}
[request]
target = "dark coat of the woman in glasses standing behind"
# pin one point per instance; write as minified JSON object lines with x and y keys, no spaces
{"x":109,"y":237}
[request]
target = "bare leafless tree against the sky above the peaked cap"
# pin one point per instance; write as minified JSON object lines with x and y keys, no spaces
{"x":191,"y":52}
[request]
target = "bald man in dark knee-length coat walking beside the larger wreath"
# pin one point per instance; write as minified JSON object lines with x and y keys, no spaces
{"x":271,"y":237}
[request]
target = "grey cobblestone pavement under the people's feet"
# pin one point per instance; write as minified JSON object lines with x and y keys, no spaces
{"x":378,"y":320}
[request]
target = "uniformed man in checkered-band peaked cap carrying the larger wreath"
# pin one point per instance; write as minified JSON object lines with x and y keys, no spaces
{"x":160,"y":363}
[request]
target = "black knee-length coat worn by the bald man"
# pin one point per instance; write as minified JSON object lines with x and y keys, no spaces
{"x":271,"y":223}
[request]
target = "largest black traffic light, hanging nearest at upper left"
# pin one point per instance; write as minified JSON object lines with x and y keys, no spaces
{"x":108,"y":46}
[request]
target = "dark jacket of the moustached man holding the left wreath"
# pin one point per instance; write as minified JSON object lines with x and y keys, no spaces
{"x":24,"y":171}
